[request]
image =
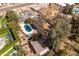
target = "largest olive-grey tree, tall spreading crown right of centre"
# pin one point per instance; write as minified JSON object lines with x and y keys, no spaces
{"x":59,"y":31}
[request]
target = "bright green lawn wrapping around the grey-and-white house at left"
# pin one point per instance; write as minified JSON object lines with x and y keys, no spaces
{"x":14,"y":31}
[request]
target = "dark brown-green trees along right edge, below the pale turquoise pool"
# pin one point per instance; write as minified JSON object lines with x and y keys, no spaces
{"x":75,"y":29}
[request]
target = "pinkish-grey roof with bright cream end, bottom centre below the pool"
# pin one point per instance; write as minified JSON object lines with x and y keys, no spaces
{"x":38,"y":49}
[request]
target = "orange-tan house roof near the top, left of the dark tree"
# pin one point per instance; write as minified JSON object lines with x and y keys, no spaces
{"x":50,"y":11}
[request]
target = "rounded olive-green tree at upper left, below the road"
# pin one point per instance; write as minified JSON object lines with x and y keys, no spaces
{"x":11,"y":15}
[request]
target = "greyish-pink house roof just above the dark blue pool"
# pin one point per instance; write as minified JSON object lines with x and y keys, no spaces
{"x":27,"y":14}
